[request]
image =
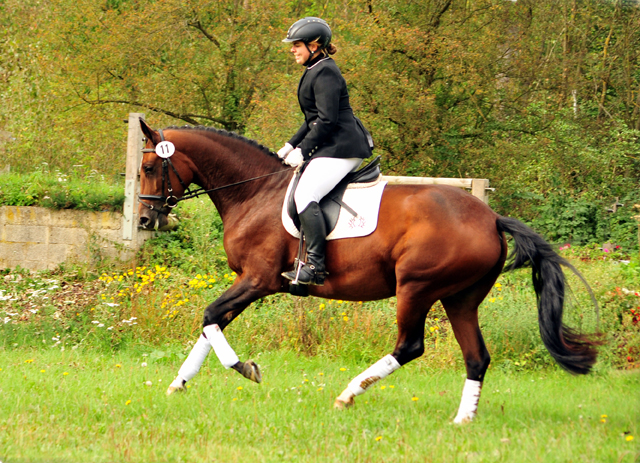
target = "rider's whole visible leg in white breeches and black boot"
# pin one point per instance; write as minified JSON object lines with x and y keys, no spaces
{"x":318,"y":179}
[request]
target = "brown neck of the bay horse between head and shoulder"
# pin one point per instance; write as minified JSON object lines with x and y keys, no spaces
{"x":232,"y":161}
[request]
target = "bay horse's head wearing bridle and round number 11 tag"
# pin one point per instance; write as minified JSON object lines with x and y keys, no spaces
{"x":165,"y":174}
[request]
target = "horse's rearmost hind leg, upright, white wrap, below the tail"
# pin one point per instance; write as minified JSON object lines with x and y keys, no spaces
{"x":462,"y":310}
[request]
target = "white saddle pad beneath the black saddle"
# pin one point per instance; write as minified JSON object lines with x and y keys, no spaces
{"x":363,"y":198}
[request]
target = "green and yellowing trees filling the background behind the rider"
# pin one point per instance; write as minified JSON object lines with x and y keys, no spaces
{"x":535,"y":97}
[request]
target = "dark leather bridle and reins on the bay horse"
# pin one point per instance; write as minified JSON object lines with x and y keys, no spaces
{"x":172,"y":201}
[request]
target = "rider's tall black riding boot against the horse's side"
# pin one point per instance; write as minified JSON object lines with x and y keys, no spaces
{"x":315,"y":235}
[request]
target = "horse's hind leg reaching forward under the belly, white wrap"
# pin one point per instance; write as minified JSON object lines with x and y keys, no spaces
{"x":411,"y":314}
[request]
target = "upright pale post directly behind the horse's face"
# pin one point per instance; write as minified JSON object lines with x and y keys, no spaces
{"x":132,"y":185}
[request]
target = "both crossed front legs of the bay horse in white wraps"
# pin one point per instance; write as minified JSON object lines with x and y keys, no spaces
{"x":216,"y":317}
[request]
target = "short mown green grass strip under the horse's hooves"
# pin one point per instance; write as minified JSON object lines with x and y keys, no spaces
{"x":102,"y":411}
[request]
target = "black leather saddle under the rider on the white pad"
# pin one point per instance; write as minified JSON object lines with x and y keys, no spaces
{"x":332,"y":202}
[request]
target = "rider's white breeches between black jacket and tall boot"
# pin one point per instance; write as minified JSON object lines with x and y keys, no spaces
{"x":319,"y":178}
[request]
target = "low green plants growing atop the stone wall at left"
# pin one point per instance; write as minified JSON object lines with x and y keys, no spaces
{"x":81,"y":190}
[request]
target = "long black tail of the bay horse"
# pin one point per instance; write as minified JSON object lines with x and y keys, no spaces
{"x":573,"y":351}
